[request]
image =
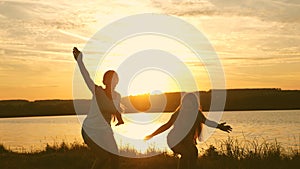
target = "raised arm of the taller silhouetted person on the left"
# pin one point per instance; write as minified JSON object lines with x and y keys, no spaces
{"x":85,"y":74}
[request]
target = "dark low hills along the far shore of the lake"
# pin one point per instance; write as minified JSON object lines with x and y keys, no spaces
{"x":236,"y":100}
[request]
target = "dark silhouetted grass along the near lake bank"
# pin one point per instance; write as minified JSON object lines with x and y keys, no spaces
{"x":232,"y":154}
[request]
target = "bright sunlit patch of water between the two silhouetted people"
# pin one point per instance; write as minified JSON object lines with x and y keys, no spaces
{"x":131,"y":134}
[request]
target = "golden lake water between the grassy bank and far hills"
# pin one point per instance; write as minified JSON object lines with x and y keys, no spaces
{"x":28,"y":134}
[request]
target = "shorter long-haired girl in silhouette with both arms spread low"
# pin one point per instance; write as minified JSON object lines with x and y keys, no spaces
{"x":187,"y":128}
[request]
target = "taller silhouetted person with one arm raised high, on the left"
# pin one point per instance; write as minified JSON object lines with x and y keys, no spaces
{"x":105,"y":104}
